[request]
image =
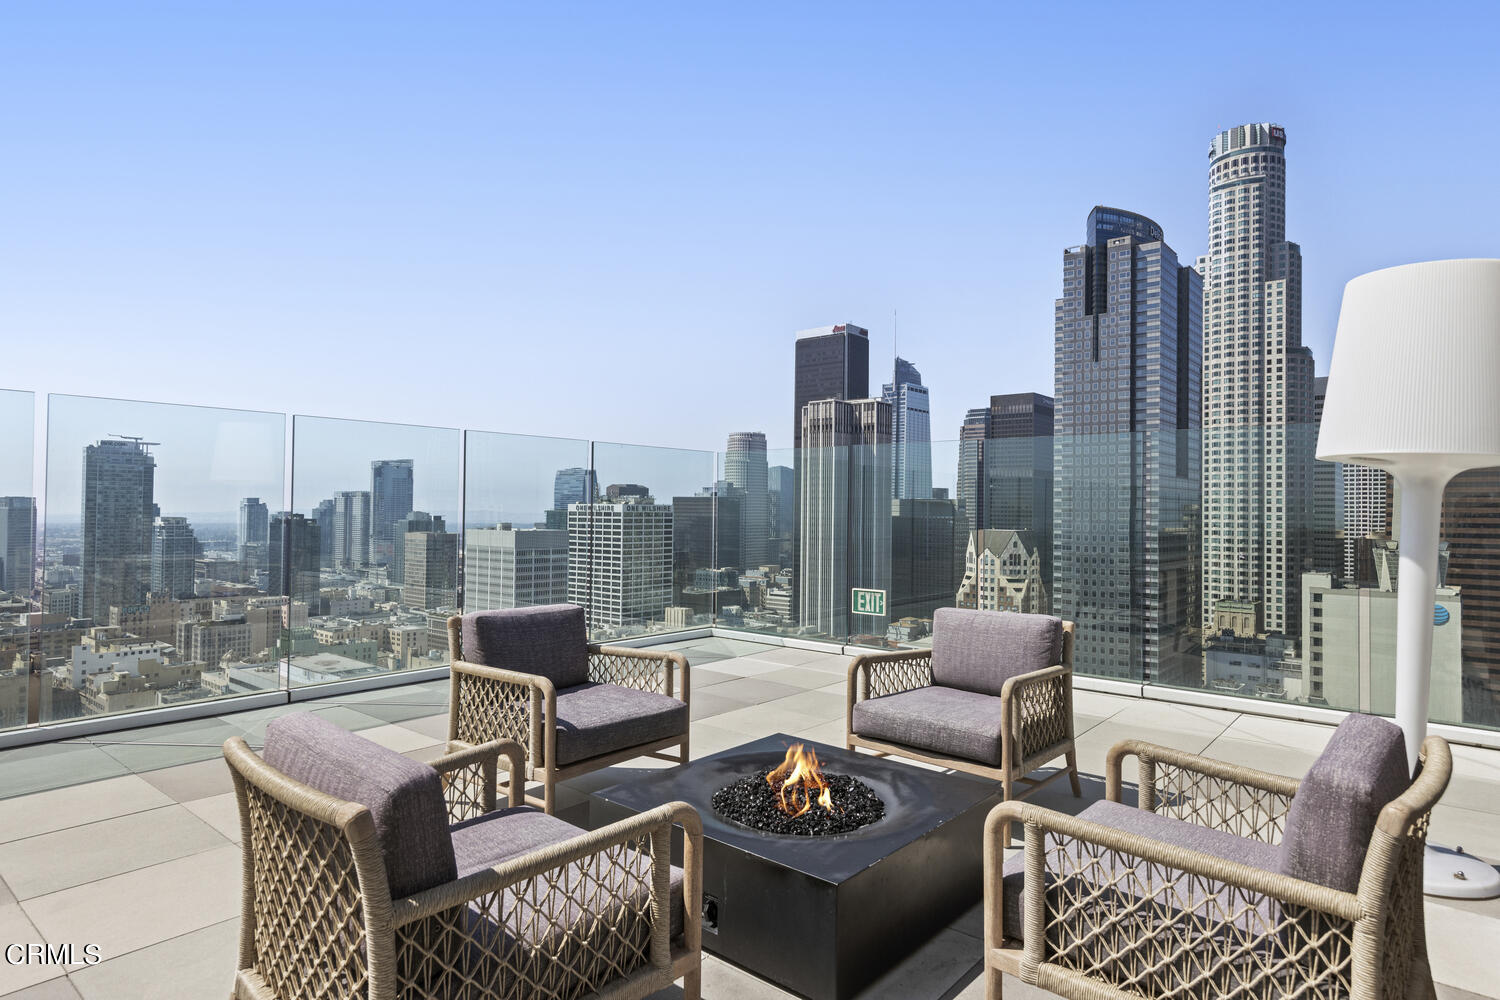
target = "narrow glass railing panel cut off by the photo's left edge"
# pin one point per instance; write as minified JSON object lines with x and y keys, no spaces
{"x":19,"y":549}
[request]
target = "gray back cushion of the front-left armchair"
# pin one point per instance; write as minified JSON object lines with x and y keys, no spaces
{"x":403,"y":795}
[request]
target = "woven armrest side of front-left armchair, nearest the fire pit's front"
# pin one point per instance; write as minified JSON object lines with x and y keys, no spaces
{"x":619,"y":875}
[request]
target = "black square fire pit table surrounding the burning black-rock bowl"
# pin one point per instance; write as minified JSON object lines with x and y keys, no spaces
{"x":824,"y":917}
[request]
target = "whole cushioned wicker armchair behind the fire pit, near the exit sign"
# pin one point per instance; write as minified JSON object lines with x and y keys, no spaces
{"x":992,"y":698}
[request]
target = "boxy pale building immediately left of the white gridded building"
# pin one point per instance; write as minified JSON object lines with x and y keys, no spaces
{"x":514,"y":567}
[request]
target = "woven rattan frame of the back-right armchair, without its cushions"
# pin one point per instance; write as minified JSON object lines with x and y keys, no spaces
{"x":1037,"y":710}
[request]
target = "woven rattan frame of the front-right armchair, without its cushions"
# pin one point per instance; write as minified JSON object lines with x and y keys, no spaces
{"x":1243,"y":933}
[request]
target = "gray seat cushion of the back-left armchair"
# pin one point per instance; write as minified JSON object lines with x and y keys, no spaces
{"x":601,"y":719}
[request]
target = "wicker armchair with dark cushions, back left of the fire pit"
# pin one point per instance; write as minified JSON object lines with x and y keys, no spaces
{"x":532,"y":675}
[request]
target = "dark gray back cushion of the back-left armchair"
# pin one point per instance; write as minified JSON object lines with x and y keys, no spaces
{"x":550,"y":641}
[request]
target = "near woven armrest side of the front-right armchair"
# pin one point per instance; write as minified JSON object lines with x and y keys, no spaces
{"x":1103,"y":903}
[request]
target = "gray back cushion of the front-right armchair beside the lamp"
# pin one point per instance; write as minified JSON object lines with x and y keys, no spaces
{"x":1334,"y":813}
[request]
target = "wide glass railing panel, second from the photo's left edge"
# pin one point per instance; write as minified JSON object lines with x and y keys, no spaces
{"x":158,"y":567}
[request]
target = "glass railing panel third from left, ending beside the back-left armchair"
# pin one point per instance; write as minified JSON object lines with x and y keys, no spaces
{"x":376,"y":536}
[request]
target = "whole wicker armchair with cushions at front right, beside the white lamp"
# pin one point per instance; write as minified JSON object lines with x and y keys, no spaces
{"x":1226,"y":882}
